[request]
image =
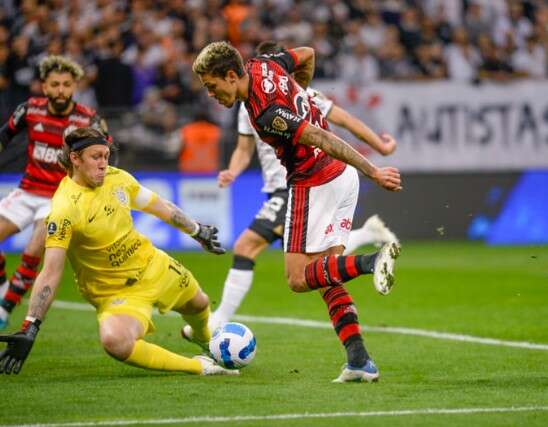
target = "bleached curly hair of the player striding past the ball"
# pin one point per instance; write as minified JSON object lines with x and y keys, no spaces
{"x":217,"y":59}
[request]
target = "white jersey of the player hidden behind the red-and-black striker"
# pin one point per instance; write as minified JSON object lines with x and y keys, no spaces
{"x":274,"y":174}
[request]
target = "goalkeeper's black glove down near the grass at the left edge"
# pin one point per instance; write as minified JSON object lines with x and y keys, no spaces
{"x":19,"y":346}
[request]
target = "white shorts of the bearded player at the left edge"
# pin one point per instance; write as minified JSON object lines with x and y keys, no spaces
{"x":24,"y":208}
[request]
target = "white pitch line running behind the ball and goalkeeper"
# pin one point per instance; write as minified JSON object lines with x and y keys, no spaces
{"x":327,"y":325}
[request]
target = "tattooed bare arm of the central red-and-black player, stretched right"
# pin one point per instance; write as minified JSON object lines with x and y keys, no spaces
{"x":387,"y":177}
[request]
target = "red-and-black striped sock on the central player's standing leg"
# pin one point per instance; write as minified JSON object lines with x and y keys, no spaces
{"x":344,"y":318}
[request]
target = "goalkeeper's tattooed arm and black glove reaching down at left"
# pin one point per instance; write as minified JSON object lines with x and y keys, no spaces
{"x":43,"y":293}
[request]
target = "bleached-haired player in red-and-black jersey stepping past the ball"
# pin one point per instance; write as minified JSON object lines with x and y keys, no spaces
{"x":323,"y":190}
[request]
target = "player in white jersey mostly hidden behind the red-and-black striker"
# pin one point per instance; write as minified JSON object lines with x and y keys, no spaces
{"x":267,"y":226}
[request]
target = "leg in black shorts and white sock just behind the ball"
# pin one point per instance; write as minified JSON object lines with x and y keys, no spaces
{"x":266,"y":228}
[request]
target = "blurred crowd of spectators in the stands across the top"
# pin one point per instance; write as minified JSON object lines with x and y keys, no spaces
{"x":137,"y":54}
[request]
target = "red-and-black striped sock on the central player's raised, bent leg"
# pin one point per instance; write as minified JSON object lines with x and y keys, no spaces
{"x":334,"y":270}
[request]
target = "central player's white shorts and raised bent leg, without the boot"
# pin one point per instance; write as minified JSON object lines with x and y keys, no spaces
{"x":320,"y":218}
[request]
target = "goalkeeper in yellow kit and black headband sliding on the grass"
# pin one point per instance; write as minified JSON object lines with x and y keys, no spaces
{"x":117,"y":269}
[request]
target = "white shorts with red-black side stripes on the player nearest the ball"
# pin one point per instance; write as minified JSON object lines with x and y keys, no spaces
{"x":319,"y":218}
